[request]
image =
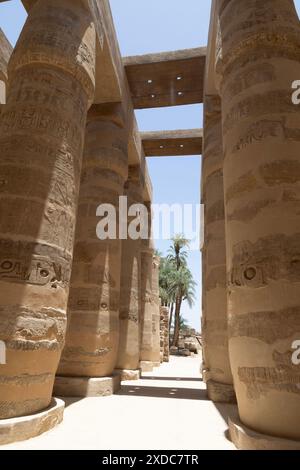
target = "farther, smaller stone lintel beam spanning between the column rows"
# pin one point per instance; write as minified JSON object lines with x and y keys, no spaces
{"x":172,"y":143}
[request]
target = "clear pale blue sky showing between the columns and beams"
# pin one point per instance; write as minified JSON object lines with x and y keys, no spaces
{"x":145,"y":26}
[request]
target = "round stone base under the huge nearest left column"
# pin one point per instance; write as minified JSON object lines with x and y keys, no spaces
{"x":26,"y":427}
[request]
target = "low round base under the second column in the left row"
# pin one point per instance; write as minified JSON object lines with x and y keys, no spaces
{"x":87,"y":386}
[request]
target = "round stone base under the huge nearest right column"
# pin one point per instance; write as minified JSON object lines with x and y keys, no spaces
{"x":246,"y":439}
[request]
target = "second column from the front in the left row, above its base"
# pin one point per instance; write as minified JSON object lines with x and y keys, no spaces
{"x":93,"y":309}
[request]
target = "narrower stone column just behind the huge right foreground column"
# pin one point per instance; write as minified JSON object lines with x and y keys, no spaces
{"x":217,"y":373}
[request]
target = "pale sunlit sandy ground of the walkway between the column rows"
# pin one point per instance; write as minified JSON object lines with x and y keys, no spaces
{"x":166,"y":409}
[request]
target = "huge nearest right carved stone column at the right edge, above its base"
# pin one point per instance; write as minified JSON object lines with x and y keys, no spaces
{"x":258,"y":59}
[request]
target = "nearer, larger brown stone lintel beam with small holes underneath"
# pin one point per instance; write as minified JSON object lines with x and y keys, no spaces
{"x":166,"y":79}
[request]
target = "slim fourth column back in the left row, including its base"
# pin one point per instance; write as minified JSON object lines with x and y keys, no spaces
{"x":146,"y":364}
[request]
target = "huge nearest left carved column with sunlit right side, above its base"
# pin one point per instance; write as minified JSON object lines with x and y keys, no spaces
{"x":51,"y":86}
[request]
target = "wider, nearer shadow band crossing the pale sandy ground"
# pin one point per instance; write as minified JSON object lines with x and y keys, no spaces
{"x":163,"y":392}
